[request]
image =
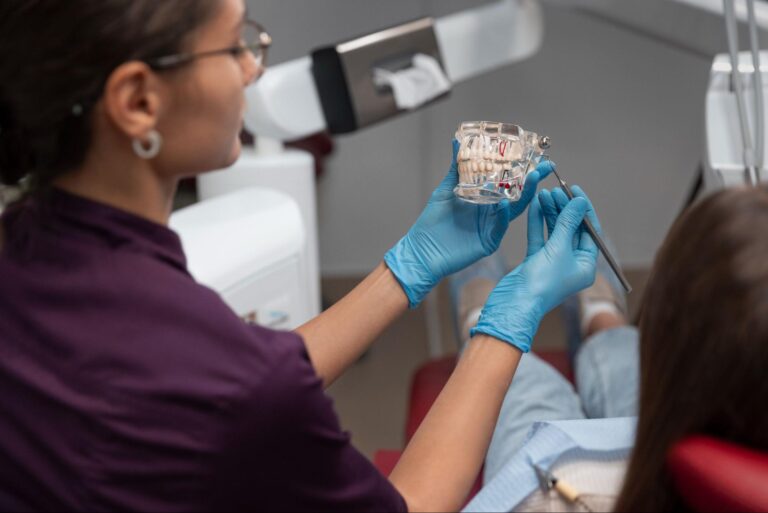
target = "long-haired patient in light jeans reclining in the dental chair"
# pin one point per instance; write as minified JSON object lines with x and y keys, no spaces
{"x":703,"y":354}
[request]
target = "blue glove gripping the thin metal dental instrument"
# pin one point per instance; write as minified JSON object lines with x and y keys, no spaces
{"x":551,"y":271}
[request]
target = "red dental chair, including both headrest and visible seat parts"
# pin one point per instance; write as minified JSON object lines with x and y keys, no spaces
{"x":710,"y":474}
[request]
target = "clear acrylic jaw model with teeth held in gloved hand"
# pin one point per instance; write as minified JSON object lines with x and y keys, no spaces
{"x":494,"y":159}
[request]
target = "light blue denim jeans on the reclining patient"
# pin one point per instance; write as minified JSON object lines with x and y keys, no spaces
{"x":606,"y":368}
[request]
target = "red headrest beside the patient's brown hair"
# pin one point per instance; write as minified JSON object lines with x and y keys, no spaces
{"x":714,"y":475}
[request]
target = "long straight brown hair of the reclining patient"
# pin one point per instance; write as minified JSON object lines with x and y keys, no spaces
{"x":704,"y":341}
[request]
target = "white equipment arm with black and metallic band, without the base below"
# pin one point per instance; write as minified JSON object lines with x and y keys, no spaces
{"x":357,"y":83}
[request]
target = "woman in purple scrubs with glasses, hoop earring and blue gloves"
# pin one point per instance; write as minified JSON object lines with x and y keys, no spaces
{"x":126,"y":385}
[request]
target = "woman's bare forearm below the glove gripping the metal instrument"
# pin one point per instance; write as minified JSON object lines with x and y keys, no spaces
{"x":441,"y":463}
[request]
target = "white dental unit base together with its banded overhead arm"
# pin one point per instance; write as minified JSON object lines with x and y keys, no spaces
{"x":339,"y":89}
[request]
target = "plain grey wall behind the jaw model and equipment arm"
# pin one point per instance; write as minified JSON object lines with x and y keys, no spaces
{"x":625,"y":113}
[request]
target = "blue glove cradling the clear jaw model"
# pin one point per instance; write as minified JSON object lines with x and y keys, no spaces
{"x":451,"y":234}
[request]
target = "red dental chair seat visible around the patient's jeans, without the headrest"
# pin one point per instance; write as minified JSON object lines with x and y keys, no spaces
{"x":426,"y":385}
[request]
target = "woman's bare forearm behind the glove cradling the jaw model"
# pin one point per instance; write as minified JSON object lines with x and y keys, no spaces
{"x":336,"y":338}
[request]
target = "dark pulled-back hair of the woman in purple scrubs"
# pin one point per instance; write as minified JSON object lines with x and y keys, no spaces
{"x":55,"y":58}
